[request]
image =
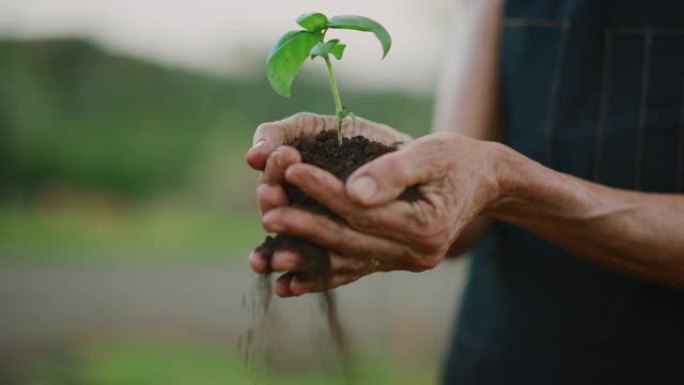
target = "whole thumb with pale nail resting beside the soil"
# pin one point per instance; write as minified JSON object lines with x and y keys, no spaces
{"x":385,"y":178}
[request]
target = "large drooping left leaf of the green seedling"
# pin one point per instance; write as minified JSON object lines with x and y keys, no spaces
{"x":286,"y":59}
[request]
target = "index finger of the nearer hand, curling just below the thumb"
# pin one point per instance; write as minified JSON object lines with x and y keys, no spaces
{"x":396,"y":220}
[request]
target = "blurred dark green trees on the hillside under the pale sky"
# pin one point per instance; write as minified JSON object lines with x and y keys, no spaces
{"x":77,"y":117}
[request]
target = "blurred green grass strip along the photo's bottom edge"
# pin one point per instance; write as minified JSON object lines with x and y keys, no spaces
{"x":157,"y":362}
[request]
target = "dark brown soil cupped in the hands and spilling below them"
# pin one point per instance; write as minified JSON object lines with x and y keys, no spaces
{"x":341,"y":160}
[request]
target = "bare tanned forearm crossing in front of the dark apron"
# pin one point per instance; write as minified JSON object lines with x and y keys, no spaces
{"x":633,"y":232}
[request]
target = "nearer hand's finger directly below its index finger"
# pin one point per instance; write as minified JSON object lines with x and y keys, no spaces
{"x":330,"y":234}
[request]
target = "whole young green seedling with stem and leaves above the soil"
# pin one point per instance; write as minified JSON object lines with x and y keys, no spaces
{"x":292,"y":49}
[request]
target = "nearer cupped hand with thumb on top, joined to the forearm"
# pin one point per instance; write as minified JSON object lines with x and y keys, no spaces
{"x":458,"y":177}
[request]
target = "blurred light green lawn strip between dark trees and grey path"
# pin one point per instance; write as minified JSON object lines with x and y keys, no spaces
{"x":160,"y":232}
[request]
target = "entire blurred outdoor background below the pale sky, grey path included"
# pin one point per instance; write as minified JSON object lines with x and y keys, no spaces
{"x":127,"y":214}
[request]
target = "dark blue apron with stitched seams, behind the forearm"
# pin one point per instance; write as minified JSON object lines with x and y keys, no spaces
{"x":593,"y":88}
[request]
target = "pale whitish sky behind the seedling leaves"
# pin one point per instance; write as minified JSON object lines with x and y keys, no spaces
{"x":217,"y":35}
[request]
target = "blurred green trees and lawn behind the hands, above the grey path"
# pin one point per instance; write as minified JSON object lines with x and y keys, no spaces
{"x":107,"y":152}
